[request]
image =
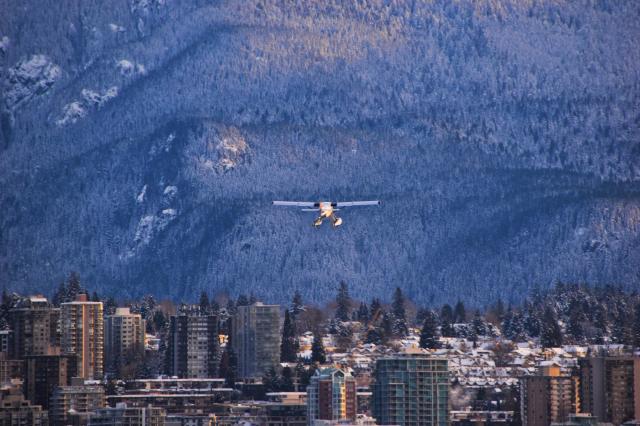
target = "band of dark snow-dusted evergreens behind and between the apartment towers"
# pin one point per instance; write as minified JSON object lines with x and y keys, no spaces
{"x":564,"y":314}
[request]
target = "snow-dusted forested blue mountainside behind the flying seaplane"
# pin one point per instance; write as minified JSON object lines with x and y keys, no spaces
{"x":141,"y":145}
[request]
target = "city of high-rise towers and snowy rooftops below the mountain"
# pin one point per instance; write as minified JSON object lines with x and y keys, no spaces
{"x":420,"y":367}
